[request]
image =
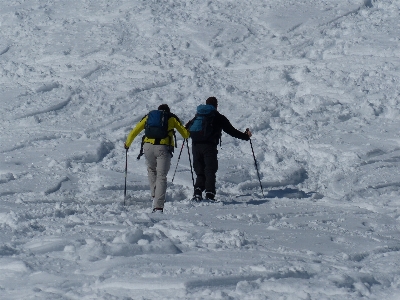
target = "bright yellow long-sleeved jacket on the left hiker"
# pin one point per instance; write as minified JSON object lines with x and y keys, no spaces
{"x":173,"y":122}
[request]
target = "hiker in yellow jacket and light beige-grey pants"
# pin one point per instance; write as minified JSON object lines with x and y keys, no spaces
{"x":158,"y":153}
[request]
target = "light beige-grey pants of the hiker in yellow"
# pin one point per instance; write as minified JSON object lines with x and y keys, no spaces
{"x":158,"y":161}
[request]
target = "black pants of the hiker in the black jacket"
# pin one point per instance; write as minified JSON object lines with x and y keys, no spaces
{"x":205,"y":164}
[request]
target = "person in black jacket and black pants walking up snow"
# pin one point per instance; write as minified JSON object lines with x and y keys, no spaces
{"x":205,"y":160}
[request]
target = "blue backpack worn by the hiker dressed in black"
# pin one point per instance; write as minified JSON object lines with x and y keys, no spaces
{"x":201,"y":128}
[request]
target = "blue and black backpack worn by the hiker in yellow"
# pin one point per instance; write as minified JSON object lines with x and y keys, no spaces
{"x":157,"y":124}
